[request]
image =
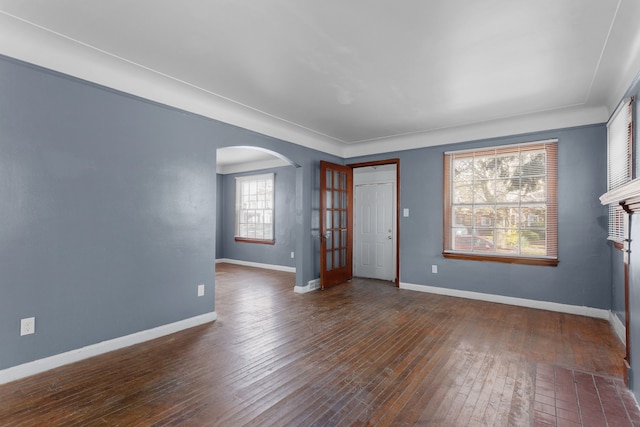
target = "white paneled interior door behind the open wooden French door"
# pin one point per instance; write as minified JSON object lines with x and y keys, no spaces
{"x":375,"y":237}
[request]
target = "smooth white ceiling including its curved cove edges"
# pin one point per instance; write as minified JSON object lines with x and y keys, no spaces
{"x":348,"y":77}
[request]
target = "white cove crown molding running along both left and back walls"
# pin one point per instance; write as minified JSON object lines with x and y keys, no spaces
{"x":30,"y":43}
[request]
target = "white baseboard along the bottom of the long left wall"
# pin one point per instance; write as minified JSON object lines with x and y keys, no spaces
{"x":51,"y":362}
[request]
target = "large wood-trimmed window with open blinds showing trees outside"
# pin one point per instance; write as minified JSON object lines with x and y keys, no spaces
{"x":501,"y":204}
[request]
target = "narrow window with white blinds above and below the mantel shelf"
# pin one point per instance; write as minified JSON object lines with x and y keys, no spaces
{"x":619,"y":162}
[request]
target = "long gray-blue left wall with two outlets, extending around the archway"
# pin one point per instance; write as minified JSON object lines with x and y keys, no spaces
{"x":108,"y":213}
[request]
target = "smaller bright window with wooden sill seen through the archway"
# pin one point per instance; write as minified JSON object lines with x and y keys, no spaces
{"x":254,"y":208}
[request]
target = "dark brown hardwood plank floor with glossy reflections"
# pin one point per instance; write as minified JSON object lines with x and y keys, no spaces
{"x":361,"y":353}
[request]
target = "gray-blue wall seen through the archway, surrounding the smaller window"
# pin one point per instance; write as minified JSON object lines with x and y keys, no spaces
{"x":285,"y":197}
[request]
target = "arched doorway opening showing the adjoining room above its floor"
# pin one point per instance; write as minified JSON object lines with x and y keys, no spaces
{"x":238,"y":164}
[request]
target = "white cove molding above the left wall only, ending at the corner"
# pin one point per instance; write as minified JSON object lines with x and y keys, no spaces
{"x":29,"y":43}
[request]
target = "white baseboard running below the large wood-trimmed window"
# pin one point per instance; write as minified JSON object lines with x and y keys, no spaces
{"x":522,"y":302}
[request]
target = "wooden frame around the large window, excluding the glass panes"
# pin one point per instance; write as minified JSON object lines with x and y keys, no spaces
{"x":551,"y":205}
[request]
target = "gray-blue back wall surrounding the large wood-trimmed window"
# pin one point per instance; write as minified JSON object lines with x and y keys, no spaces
{"x":583,"y":275}
